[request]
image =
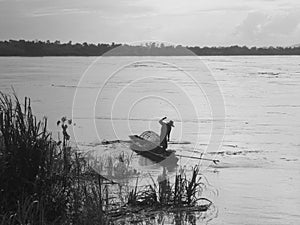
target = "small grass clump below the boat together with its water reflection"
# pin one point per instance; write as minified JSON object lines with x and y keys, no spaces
{"x":180,"y":200}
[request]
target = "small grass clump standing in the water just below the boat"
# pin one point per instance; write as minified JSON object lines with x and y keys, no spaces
{"x":185,"y":192}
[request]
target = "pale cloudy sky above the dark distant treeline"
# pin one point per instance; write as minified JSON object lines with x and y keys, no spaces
{"x":186,"y":22}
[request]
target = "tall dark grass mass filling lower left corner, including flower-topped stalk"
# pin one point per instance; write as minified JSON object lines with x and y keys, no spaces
{"x":42,"y":181}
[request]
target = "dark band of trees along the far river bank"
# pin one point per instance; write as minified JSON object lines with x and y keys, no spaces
{"x":47,"y":48}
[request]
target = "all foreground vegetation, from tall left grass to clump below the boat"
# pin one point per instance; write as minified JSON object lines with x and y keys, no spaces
{"x":43,"y":181}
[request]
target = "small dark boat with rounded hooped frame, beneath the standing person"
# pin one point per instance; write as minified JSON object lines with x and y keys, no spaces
{"x":147,"y":145}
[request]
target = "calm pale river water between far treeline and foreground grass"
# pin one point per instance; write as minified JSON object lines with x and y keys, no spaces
{"x":258,"y":178}
